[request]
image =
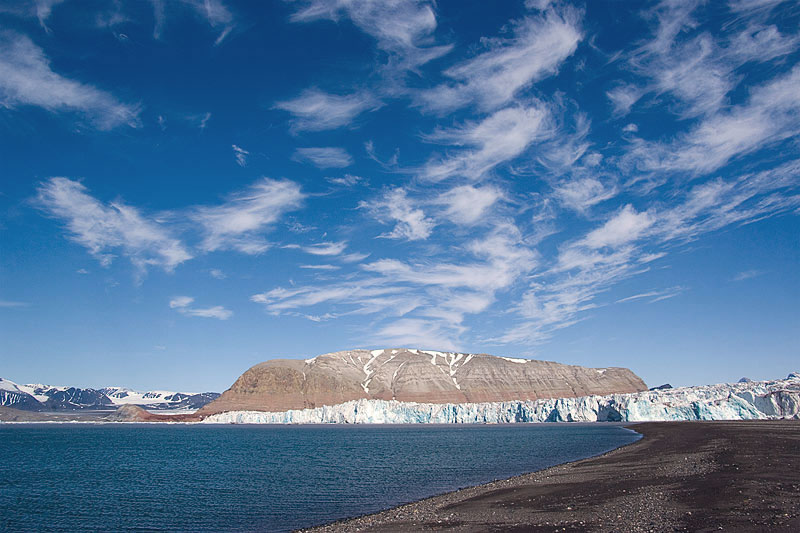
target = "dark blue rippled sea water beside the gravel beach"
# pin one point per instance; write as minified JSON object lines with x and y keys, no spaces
{"x":84,"y":477}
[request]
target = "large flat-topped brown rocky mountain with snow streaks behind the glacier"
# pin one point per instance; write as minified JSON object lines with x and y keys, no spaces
{"x":409,"y":375}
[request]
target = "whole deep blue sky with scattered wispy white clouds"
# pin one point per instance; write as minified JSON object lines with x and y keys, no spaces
{"x":190,"y":187}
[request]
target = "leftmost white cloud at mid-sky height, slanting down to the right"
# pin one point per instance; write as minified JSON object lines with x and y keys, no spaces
{"x":113,"y":228}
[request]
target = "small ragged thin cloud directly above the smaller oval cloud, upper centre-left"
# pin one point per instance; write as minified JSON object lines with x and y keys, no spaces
{"x":315,"y":110}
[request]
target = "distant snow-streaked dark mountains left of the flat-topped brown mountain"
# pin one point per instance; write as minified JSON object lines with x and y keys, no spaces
{"x":37,"y":397}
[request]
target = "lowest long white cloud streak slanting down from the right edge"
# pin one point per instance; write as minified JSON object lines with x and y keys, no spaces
{"x":628,"y":240}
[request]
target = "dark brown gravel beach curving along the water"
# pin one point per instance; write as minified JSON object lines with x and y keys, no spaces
{"x":682,"y":476}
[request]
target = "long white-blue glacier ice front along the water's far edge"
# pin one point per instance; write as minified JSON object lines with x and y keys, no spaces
{"x":727,"y":401}
